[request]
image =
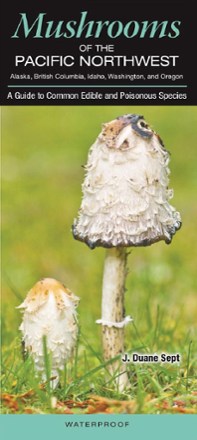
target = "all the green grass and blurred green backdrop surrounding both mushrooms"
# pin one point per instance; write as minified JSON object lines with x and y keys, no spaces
{"x":43,"y":149}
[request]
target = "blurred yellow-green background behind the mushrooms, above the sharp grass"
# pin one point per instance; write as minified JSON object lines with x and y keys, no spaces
{"x":43,"y":150}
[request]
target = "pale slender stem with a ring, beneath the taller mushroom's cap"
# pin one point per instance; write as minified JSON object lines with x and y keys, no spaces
{"x":113,"y":312}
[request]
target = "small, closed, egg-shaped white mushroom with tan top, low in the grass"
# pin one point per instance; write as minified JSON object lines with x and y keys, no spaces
{"x":50,"y":311}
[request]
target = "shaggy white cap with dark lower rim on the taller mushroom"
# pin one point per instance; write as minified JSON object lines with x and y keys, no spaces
{"x":125,"y":190}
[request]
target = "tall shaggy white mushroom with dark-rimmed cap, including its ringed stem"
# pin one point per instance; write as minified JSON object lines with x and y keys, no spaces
{"x":125,"y":203}
